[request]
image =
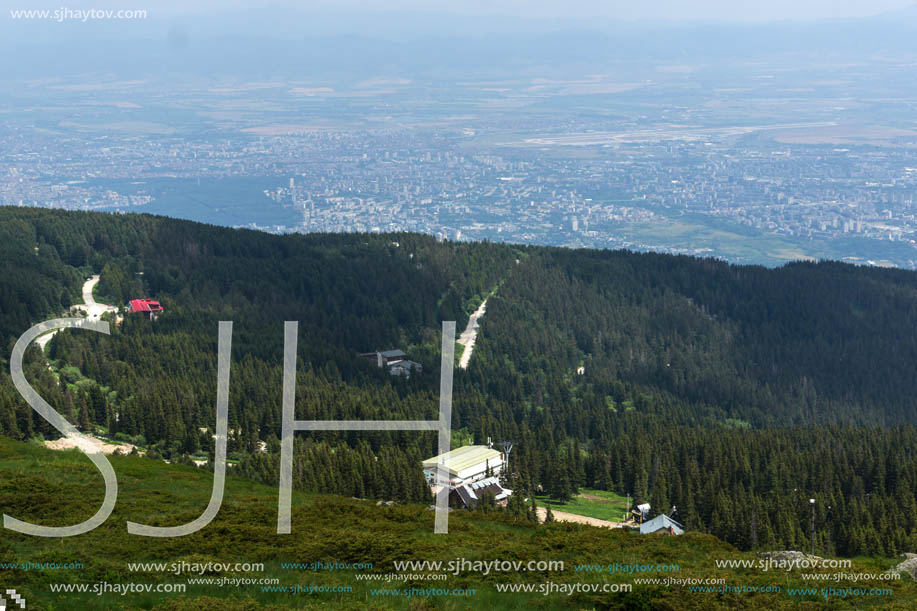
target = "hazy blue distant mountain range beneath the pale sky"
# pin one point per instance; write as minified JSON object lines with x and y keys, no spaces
{"x":271,"y":43}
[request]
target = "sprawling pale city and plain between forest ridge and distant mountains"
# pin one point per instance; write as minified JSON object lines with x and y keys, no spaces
{"x":756,"y":194}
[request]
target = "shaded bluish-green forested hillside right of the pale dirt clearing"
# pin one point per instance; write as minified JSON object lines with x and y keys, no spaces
{"x":803,"y":344}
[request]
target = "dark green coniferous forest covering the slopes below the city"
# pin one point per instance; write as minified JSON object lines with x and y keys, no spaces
{"x":733,"y":393}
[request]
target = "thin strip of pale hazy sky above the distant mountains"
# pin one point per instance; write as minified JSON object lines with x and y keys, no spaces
{"x":706,"y":10}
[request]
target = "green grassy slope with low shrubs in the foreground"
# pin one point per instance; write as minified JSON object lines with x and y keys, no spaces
{"x":57,"y":488}
